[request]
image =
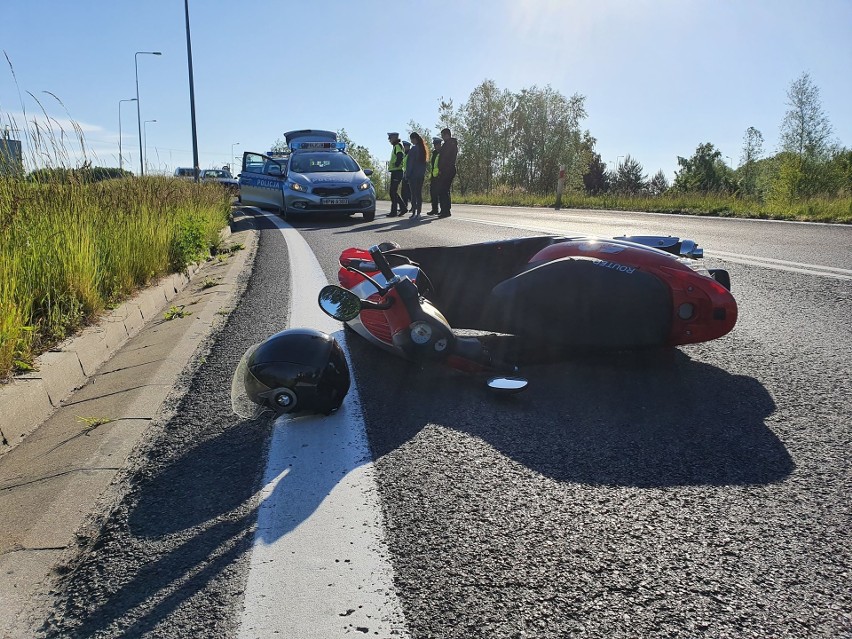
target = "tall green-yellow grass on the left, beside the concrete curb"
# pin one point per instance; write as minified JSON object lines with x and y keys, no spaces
{"x":70,"y":250}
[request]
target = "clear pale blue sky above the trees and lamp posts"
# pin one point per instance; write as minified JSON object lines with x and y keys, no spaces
{"x":659,"y":77}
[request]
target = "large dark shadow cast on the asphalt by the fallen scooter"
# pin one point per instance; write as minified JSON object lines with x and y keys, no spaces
{"x":651,"y":419}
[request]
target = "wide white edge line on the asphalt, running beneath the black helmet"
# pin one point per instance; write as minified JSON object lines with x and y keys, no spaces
{"x":319,"y":566}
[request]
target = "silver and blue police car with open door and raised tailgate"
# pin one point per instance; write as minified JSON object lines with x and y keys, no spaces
{"x":314,"y":177}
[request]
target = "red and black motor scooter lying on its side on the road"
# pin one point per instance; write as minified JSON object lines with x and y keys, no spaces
{"x":551,"y":296}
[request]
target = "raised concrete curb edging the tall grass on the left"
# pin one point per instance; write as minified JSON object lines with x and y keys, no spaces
{"x":28,"y":400}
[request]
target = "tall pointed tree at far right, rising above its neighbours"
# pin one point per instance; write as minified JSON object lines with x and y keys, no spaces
{"x":805,"y":130}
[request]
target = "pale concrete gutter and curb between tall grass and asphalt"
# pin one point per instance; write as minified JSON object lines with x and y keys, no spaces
{"x":68,"y":468}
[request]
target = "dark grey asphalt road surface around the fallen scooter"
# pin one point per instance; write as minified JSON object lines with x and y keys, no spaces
{"x":703,"y":492}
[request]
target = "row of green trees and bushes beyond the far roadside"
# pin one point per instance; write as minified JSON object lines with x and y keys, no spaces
{"x":516,"y":141}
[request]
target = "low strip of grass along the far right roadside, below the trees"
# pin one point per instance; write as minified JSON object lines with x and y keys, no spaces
{"x":838,"y":210}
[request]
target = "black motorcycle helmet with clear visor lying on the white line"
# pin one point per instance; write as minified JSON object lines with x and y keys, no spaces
{"x":299,"y":370}
